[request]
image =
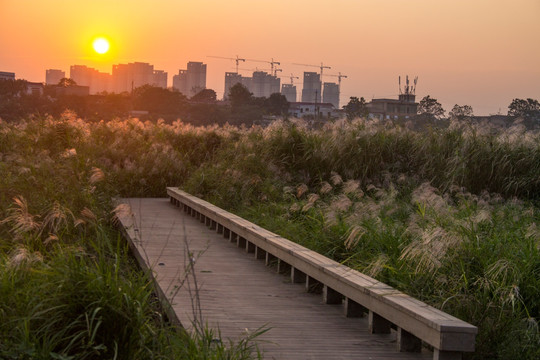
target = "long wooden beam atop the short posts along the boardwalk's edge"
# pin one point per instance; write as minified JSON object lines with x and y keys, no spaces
{"x":407,"y":313}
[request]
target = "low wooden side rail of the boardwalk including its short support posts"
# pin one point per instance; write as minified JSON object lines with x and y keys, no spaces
{"x":386,"y":307}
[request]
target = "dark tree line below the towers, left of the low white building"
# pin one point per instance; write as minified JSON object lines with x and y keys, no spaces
{"x":201,"y":109}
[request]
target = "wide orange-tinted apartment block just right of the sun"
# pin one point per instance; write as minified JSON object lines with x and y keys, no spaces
{"x":127,"y":77}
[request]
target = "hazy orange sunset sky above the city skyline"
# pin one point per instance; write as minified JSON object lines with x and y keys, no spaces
{"x":481,"y":53}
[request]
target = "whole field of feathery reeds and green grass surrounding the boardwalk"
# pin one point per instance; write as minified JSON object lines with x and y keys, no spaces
{"x":449,"y":215}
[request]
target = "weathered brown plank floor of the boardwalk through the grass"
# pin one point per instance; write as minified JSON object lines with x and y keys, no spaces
{"x":238,"y":293}
